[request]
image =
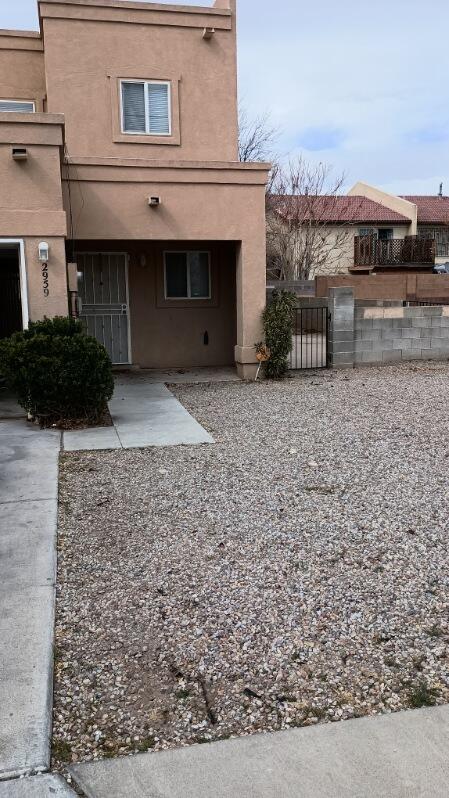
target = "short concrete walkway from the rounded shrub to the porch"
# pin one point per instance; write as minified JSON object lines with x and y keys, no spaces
{"x":144,"y":413}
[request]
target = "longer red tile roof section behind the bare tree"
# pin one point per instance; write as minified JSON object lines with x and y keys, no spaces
{"x":338,"y":209}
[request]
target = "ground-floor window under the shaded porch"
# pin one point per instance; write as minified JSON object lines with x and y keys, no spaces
{"x":187,"y":275}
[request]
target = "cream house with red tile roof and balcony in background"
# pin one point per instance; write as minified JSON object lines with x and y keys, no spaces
{"x":367,"y":230}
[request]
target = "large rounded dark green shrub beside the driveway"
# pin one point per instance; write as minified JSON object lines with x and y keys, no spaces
{"x":57,"y":372}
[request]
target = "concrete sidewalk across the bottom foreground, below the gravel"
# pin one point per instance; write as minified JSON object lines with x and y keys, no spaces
{"x":404,"y":755}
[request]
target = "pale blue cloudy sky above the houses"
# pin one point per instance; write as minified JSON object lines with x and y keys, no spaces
{"x":362,"y":87}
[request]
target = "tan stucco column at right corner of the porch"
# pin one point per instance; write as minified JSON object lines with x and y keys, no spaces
{"x":251,"y":298}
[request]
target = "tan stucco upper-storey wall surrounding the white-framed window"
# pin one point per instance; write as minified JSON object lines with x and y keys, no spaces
{"x":204,"y":72}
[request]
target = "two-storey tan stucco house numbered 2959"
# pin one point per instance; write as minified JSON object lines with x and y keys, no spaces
{"x":122,"y":194}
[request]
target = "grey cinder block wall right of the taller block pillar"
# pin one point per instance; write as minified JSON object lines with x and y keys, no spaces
{"x":384,"y":333}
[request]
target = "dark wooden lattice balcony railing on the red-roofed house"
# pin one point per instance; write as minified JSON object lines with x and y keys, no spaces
{"x":371,"y":251}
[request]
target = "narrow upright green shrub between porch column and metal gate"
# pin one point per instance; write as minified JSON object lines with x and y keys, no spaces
{"x":278,"y":321}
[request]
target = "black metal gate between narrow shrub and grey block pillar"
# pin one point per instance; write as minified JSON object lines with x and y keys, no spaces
{"x":310,"y":338}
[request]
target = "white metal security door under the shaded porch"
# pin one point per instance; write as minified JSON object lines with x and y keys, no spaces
{"x":103,"y":295}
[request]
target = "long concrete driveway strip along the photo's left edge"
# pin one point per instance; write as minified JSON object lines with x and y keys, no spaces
{"x":28,"y":519}
